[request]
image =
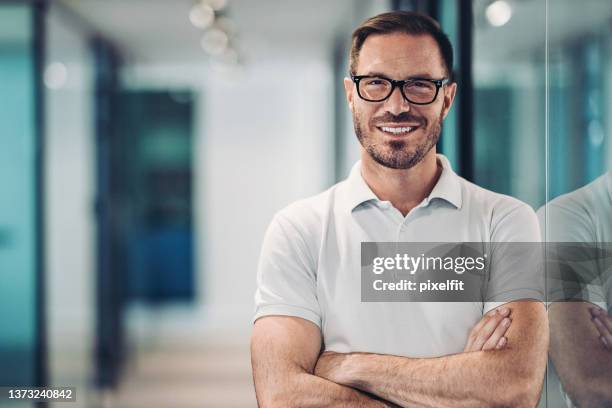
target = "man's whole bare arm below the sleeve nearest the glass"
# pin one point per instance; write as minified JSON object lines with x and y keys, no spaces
{"x":509,"y":377}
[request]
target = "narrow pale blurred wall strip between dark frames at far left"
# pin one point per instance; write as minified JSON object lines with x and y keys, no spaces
{"x":69,"y":217}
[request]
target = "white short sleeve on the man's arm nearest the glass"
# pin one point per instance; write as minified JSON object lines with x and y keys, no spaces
{"x":516,"y":270}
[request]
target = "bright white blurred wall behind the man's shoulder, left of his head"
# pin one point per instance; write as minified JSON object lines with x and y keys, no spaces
{"x":265,"y":140}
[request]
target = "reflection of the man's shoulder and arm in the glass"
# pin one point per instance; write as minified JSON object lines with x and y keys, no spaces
{"x":578,"y":226}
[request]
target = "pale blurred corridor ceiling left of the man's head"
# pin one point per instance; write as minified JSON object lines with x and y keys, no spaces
{"x":159,"y":31}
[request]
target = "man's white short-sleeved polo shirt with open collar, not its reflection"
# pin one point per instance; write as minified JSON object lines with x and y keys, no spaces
{"x":310,"y":263}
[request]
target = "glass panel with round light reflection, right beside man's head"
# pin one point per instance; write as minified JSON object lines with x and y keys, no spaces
{"x":509,"y":98}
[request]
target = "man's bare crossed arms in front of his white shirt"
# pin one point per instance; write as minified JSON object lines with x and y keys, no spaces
{"x":502,"y":365}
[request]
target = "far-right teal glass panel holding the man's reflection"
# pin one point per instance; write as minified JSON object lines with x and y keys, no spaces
{"x":578,"y":213}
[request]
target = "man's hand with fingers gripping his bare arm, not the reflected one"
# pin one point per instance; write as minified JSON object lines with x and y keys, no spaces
{"x":488,"y":334}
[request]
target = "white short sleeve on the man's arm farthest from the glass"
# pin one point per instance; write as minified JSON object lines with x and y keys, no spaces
{"x":286,"y":275}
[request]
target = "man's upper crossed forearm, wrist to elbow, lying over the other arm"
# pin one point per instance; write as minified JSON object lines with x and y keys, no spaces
{"x":462,"y":380}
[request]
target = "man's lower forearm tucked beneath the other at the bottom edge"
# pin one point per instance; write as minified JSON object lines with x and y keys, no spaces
{"x":307,"y":390}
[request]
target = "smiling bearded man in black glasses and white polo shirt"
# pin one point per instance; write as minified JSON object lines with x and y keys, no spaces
{"x":436,"y":354}
